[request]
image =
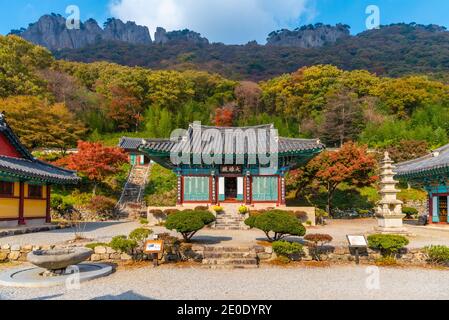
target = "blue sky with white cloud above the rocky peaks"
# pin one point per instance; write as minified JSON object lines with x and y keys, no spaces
{"x":229,"y":21}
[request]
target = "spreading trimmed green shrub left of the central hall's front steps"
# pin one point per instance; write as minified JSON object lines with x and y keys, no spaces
{"x":189,"y":222}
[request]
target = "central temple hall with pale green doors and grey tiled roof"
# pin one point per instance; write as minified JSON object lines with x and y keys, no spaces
{"x":217,"y":165}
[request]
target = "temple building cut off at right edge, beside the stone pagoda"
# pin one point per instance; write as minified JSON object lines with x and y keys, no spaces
{"x":430,"y":172}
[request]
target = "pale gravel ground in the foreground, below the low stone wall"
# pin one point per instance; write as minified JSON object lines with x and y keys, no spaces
{"x":347,"y":282}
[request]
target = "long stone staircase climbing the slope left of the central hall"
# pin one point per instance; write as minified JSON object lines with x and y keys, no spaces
{"x":131,"y":203}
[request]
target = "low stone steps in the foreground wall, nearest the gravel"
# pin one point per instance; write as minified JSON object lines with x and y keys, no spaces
{"x":230,"y":258}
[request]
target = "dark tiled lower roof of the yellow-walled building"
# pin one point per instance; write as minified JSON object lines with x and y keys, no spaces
{"x":36,"y":170}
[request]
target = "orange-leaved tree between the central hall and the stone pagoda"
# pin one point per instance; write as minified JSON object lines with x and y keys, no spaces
{"x":351,"y":164}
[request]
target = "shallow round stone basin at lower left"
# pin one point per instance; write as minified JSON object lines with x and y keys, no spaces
{"x":59,"y":259}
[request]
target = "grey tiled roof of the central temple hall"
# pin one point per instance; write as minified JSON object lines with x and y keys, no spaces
{"x":242,"y":146}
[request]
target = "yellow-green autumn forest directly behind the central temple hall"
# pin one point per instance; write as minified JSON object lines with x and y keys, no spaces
{"x":53,"y":102}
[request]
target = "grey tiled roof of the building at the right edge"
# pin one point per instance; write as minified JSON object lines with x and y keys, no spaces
{"x":435,"y":162}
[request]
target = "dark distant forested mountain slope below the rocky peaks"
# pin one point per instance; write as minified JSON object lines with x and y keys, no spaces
{"x":394,"y":50}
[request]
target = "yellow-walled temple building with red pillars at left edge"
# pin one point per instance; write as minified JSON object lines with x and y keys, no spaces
{"x":25,"y":182}
